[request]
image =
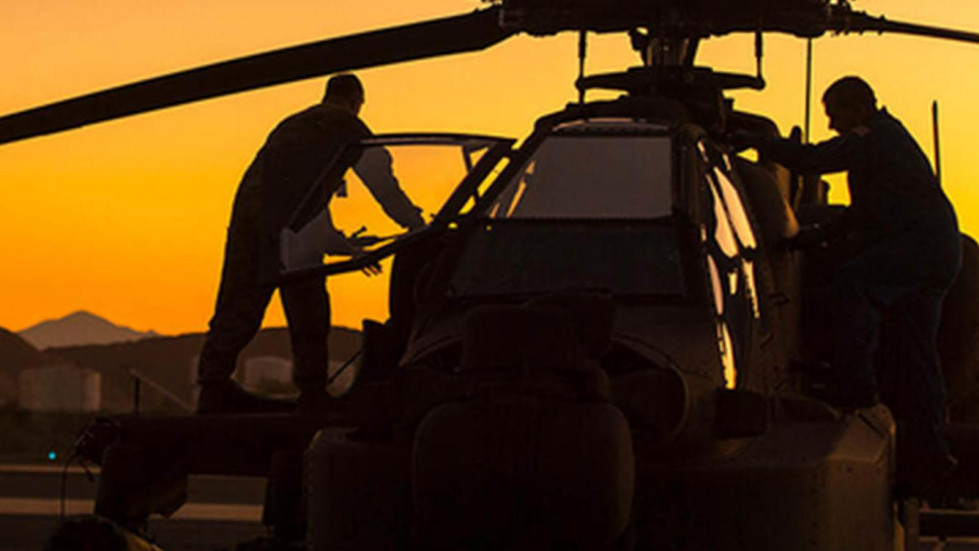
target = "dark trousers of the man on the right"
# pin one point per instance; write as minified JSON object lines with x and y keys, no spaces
{"x":906,"y":274}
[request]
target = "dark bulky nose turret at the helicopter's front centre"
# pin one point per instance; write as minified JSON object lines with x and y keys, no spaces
{"x":538,"y":415}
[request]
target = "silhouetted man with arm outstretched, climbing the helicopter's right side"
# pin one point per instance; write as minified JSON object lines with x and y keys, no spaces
{"x":908,"y":252}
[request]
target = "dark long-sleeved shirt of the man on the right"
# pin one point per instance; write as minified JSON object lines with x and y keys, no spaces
{"x":892,"y":186}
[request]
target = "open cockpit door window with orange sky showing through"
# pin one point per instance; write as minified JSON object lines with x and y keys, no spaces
{"x":390,"y":186}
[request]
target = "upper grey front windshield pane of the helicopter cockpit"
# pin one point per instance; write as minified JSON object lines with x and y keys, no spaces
{"x":592,"y":177}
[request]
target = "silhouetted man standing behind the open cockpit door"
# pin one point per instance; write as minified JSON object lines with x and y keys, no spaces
{"x":301,"y":165}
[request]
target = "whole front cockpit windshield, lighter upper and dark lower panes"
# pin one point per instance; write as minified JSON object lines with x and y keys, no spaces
{"x":586,"y":211}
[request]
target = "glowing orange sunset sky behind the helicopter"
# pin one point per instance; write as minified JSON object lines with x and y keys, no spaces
{"x":127,"y":219}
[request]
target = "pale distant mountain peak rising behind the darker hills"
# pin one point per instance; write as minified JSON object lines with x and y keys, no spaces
{"x":79,"y":328}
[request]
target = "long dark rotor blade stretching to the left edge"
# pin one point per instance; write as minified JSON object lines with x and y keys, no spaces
{"x":438,"y":37}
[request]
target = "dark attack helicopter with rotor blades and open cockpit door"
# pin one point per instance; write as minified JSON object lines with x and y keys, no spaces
{"x":593,"y":345}
